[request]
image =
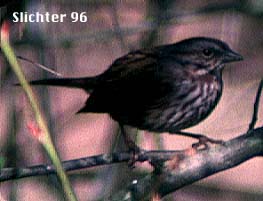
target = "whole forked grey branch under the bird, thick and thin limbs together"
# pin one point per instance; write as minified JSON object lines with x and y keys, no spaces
{"x":178,"y":168}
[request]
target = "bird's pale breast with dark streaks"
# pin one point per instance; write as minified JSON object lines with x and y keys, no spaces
{"x":197,"y":105}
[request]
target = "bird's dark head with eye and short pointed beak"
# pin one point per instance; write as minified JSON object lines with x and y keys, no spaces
{"x":205,"y":54}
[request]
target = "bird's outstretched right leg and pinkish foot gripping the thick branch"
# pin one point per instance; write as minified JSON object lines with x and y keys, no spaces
{"x":202,"y":139}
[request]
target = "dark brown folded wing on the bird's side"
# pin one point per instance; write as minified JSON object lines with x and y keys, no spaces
{"x":136,"y":83}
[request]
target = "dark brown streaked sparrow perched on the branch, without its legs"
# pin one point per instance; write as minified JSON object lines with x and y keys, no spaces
{"x":163,"y":89}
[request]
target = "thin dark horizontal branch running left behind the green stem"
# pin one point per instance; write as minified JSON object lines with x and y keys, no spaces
{"x":87,"y":162}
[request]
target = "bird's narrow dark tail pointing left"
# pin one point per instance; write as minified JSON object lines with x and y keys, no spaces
{"x":86,"y":83}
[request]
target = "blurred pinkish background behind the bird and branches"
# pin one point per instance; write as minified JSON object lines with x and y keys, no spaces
{"x":114,"y":28}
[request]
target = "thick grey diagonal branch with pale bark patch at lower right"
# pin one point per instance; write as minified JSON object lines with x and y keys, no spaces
{"x":178,"y":173}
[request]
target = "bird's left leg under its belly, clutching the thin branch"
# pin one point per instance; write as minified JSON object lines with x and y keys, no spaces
{"x":132,"y":147}
